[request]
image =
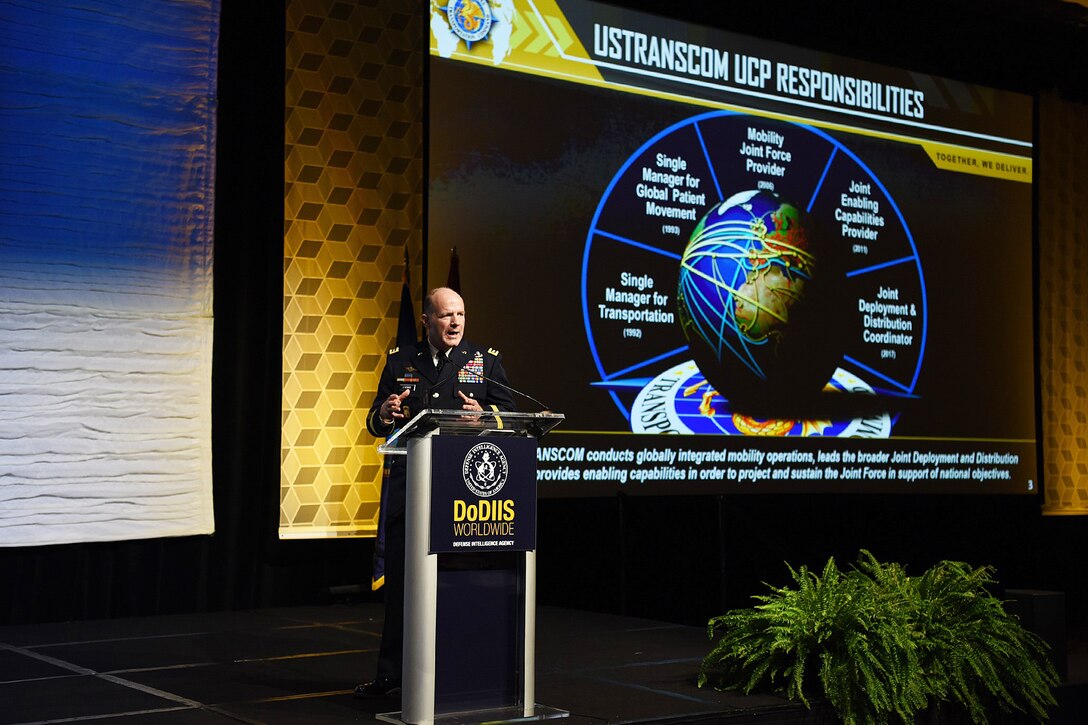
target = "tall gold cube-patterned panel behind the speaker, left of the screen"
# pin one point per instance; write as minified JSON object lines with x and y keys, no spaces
{"x":353,"y":205}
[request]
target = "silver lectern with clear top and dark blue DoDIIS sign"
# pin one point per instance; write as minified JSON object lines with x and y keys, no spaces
{"x":471,"y":567}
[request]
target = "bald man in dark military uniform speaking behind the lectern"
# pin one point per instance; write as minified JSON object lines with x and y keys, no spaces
{"x":443,"y":371}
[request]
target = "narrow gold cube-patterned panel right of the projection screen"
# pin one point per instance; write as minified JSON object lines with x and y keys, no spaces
{"x":1064,"y":303}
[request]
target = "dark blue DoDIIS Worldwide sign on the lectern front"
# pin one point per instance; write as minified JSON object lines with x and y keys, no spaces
{"x":484,"y":495}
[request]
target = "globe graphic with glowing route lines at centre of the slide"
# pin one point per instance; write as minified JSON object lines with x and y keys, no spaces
{"x":753,"y":305}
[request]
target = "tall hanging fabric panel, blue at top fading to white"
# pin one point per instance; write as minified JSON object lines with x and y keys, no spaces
{"x":107,"y":173}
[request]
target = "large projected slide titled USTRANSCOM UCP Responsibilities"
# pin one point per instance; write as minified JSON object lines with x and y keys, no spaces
{"x":734,"y":265}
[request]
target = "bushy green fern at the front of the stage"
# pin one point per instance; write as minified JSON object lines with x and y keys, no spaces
{"x":883,"y":646}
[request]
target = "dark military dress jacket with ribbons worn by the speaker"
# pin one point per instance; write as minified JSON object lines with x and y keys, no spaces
{"x":411,"y":368}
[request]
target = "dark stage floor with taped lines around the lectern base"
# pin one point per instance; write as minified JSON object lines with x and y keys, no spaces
{"x":300,"y":666}
